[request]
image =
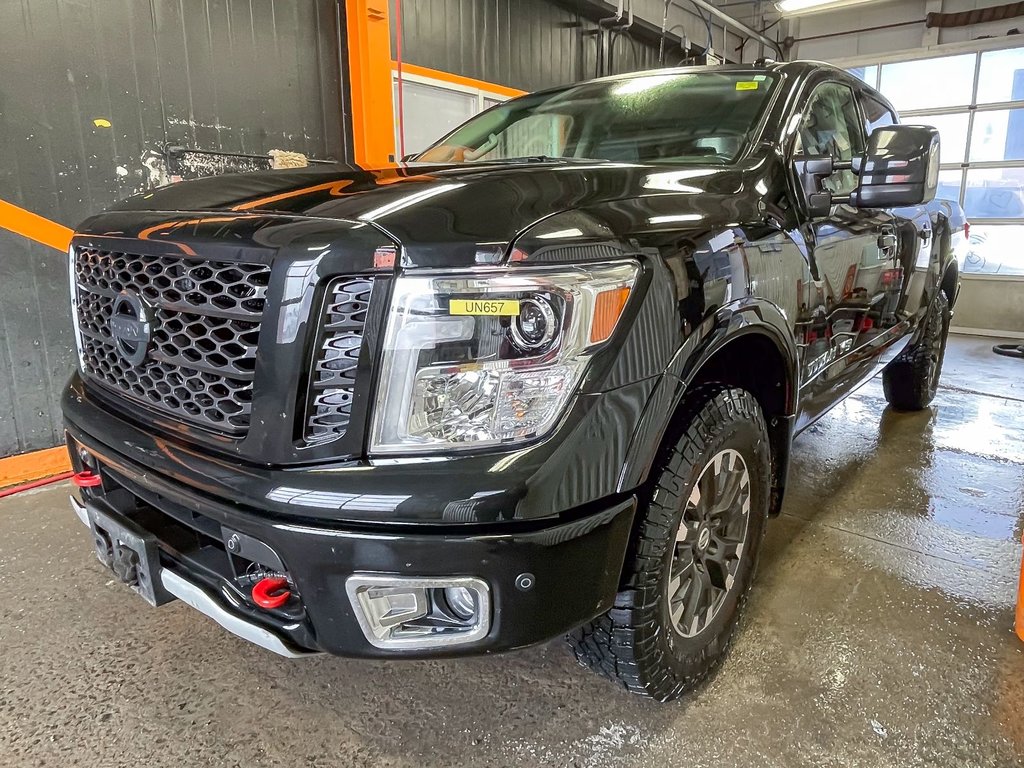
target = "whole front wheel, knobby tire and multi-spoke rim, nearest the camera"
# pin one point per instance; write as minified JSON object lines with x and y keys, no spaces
{"x":700,"y":531}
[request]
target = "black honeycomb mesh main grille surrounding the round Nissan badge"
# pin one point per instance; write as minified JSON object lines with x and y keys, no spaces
{"x":205,"y":328}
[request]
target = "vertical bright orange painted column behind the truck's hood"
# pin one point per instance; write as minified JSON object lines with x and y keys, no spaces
{"x":370,"y":81}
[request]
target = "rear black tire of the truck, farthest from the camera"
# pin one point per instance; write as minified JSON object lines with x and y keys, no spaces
{"x":912,"y":380}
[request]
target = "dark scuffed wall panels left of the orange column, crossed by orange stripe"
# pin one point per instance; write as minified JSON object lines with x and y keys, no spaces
{"x":243,"y":76}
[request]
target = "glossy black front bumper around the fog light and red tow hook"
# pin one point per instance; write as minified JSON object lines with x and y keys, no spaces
{"x":575,"y":565}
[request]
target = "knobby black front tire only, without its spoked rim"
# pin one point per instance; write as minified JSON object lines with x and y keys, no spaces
{"x":636,"y":643}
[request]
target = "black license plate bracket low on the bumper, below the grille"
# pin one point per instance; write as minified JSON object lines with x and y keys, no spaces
{"x":131,"y":553}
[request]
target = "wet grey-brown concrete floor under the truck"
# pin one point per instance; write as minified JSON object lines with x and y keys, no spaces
{"x":879,"y":635}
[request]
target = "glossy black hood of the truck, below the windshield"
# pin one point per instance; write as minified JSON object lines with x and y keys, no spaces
{"x":448,"y":216}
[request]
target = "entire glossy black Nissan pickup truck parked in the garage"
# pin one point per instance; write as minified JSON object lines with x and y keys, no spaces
{"x":542,"y":379}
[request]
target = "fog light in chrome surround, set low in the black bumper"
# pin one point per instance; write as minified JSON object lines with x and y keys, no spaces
{"x":419,"y":614}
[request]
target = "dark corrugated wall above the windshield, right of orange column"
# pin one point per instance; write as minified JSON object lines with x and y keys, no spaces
{"x":527,"y":45}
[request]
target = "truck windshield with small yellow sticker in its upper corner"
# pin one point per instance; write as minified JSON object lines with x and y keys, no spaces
{"x":705,"y":117}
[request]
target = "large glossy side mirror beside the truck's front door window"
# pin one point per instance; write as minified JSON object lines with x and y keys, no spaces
{"x":900,"y":168}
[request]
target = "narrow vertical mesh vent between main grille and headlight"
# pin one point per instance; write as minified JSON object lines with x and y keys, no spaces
{"x":336,"y":359}
